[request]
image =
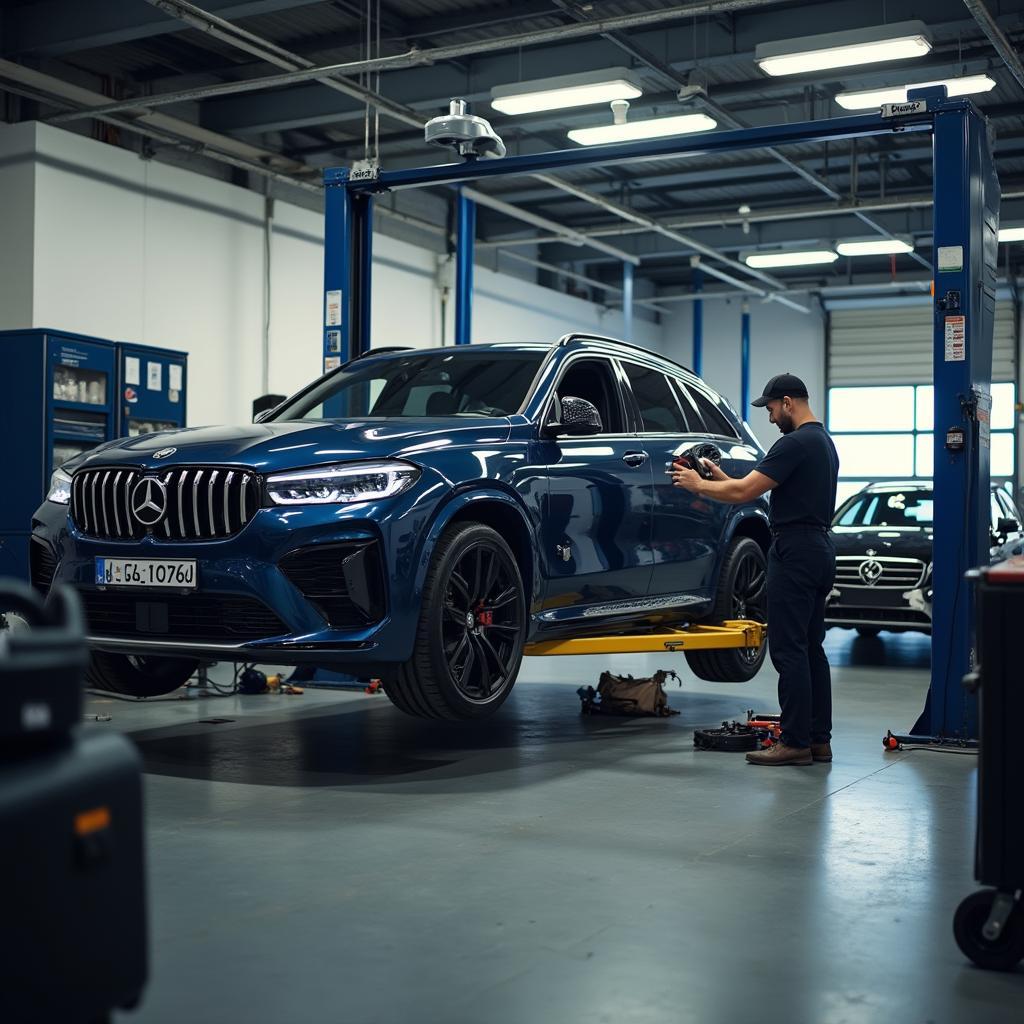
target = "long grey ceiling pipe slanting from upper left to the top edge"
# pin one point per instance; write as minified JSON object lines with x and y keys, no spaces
{"x":416,"y":58}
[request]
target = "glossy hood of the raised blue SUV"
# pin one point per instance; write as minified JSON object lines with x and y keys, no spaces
{"x":273,"y":447}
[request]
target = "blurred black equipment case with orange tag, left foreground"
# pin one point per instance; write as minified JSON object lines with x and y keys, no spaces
{"x":73,"y":927}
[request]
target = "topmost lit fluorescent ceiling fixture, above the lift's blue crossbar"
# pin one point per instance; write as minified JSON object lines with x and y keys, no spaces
{"x":844,"y":50}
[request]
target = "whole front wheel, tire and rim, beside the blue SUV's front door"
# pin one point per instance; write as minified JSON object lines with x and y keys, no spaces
{"x":462,"y":672}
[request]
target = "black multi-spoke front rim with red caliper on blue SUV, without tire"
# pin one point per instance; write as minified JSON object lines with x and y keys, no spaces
{"x":483,"y":621}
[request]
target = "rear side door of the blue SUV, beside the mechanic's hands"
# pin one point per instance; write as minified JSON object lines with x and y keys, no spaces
{"x":686,"y":528}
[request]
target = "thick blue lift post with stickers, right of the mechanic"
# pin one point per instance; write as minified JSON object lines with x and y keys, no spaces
{"x":966,"y":223}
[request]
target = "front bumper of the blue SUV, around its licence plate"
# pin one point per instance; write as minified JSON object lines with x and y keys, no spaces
{"x":253,"y":603}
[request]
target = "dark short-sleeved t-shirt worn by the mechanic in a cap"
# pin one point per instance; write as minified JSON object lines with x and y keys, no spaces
{"x":805,"y":466}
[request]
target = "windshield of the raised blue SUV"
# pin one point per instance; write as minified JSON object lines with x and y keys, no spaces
{"x":435,"y":385}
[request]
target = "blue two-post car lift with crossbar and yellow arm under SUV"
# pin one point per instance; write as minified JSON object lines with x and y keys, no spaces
{"x":966,"y":223}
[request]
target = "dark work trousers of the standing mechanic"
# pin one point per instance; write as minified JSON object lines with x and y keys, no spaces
{"x":801,"y":574}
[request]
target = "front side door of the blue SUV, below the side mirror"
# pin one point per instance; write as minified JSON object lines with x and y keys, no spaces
{"x":595,"y":531}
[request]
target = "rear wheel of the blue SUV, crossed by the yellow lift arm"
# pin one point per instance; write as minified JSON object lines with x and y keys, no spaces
{"x":741,"y":594}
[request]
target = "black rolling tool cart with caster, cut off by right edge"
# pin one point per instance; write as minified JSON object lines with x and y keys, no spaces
{"x":990,"y":924}
